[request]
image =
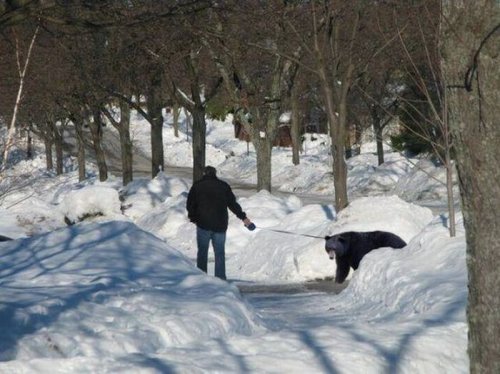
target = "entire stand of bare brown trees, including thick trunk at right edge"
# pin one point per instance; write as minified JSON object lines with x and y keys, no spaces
{"x":431,"y":64}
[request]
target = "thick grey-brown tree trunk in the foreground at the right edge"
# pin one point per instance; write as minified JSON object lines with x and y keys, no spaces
{"x":474,"y":113}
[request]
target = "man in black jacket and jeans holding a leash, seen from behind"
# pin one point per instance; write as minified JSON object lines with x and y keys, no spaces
{"x":207,"y":204}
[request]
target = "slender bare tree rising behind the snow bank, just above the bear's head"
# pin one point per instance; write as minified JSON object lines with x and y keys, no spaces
{"x":331,"y":37}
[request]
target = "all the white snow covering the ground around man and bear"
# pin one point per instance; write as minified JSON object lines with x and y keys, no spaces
{"x":120,"y":292}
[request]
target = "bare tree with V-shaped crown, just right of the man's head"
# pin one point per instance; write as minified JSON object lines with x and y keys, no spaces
{"x":254,"y":74}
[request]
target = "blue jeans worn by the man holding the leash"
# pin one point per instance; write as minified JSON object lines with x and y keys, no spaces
{"x":218,"y":239}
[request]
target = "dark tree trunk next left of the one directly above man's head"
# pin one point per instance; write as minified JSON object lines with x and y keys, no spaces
{"x":154,"y":106}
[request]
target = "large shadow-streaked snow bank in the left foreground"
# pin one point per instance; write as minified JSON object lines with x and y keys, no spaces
{"x":129,"y":291}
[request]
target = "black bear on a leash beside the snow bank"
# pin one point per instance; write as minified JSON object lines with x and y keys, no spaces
{"x":348,"y":248}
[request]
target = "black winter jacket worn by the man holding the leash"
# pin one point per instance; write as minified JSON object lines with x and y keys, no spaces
{"x":208,"y":201}
